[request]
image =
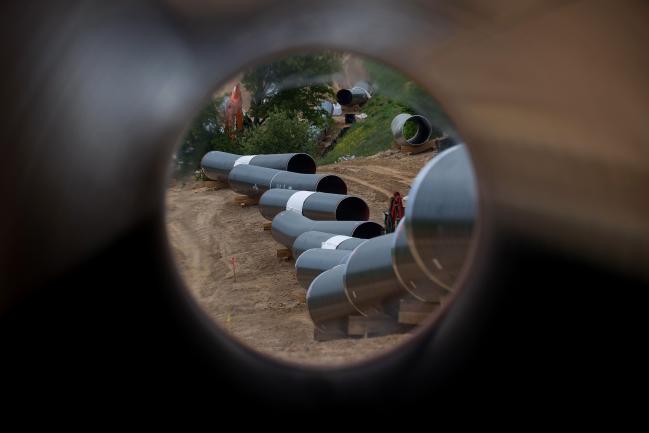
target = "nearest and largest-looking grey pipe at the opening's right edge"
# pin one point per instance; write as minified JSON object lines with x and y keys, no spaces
{"x":441,"y":211}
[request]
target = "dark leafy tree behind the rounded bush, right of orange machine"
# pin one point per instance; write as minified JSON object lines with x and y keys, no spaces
{"x":298,"y":83}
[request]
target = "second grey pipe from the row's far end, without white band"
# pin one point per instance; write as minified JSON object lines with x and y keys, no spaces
{"x":254,"y":181}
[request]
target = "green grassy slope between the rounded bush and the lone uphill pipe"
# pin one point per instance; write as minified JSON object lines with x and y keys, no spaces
{"x":369,"y":136}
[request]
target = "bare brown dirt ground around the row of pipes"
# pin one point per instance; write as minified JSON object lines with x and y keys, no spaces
{"x":265,"y":308}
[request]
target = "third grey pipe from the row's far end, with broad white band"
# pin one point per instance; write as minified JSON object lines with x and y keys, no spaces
{"x":314,"y":205}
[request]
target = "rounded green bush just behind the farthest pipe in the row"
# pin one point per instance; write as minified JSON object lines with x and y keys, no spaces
{"x":282,"y":132}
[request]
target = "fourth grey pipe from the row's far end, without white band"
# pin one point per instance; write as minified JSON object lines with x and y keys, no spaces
{"x":288,"y":225}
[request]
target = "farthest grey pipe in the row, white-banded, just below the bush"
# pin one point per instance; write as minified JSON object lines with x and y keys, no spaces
{"x":217,"y":165}
